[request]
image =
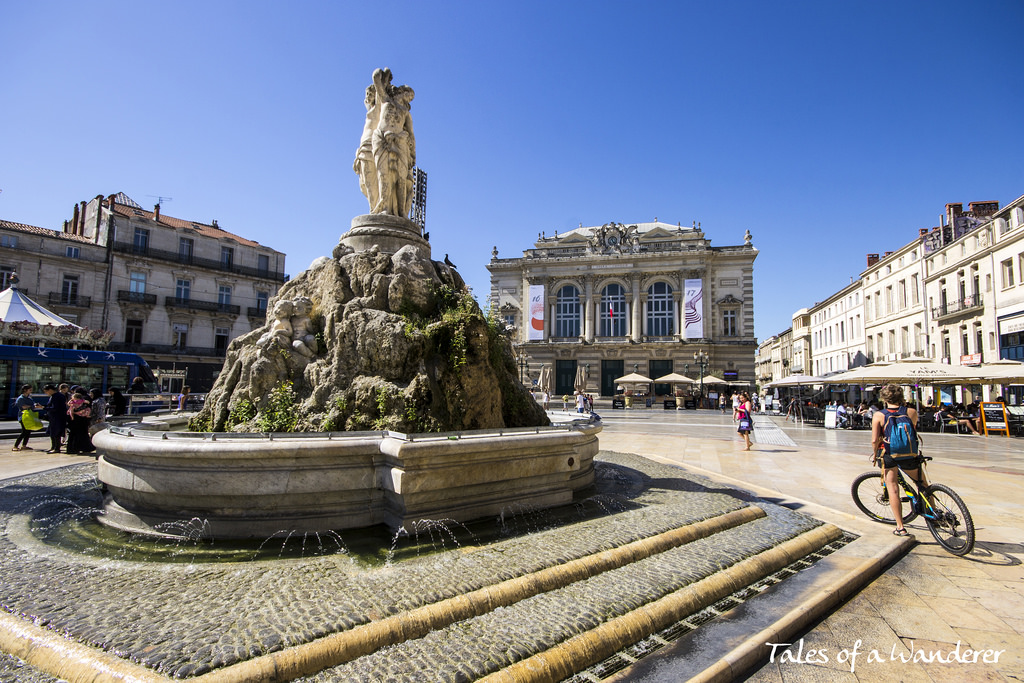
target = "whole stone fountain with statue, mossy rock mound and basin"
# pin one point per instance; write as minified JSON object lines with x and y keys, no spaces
{"x":380,"y":340}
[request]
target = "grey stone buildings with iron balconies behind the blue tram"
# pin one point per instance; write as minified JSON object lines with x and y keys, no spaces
{"x":175,"y":291}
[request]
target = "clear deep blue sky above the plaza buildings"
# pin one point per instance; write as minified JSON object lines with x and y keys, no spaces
{"x":829,"y":131}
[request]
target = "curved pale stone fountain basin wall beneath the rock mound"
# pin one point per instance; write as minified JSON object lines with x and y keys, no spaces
{"x":254,"y":486}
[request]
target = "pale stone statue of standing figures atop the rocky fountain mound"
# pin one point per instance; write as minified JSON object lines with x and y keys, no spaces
{"x":387,"y":155}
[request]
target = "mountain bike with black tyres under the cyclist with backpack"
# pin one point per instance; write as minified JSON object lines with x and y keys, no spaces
{"x":945,"y":511}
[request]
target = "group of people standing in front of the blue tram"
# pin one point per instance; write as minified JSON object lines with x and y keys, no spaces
{"x":73,"y":414}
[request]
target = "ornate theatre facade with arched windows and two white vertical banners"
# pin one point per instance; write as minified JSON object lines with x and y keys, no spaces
{"x":616,"y":300}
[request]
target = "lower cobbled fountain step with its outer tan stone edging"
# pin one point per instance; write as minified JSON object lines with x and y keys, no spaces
{"x":554,"y":633}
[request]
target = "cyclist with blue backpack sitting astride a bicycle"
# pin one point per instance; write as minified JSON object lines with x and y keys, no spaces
{"x":894,"y":440}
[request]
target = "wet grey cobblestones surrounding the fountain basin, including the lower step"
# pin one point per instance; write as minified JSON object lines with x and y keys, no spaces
{"x":187,"y":620}
